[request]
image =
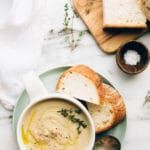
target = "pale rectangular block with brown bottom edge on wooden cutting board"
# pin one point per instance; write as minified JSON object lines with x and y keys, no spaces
{"x":123,"y":14}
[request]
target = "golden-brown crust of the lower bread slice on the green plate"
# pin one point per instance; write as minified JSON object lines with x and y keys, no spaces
{"x":113,"y":97}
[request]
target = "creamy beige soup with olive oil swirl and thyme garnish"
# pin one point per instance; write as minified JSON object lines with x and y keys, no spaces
{"x":55,"y":124}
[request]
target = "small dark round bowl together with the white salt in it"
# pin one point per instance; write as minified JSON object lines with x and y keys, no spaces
{"x":133,"y":57}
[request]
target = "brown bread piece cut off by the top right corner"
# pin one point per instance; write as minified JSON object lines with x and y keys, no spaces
{"x":145,"y":6}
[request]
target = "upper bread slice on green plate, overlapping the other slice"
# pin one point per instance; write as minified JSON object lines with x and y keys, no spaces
{"x":82,"y":83}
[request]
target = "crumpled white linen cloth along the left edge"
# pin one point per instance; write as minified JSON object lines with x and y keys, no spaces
{"x":21,"y":38}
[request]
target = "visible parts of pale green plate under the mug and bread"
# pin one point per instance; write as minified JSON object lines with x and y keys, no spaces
{"x":50,"y":79}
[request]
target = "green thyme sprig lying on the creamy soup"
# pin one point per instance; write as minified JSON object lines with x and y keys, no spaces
{"x":70,"y":114}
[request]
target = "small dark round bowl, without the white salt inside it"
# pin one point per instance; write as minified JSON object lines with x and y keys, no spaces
{"x":141,"y":49}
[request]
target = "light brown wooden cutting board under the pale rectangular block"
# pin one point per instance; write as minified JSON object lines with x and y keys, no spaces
{"x":109,"y":41}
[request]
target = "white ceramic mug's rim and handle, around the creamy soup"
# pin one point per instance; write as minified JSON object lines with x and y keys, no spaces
{"x":37,"y":94}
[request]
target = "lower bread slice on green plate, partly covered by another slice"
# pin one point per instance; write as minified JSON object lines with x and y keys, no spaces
{"x":110,"y":113}
